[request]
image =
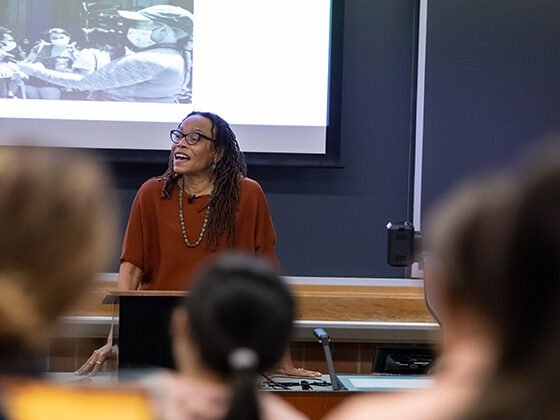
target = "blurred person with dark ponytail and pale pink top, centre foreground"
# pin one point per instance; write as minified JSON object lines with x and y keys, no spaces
{"x":236,"y":322}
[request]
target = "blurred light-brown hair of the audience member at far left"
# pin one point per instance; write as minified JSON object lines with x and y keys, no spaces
{"x":56,"y":219}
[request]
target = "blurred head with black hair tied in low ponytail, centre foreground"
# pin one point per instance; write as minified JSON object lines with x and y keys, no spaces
{"x":238,"y":320}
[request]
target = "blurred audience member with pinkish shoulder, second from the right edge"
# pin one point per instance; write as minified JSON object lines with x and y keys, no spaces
{"x":467,"y":351}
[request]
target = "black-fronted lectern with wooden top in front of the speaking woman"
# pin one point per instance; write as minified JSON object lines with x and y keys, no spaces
{"x":144,"y":339}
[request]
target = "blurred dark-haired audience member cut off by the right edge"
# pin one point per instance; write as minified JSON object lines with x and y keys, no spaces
{"x":526,"y":316}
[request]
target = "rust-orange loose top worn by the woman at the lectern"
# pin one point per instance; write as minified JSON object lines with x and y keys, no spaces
{"x":154,"y":242}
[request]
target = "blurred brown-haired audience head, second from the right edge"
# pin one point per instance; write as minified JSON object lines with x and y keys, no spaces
{"x":457,"y":274}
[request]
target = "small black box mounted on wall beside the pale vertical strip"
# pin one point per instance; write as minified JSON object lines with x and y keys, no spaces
{"x":403,"y":244}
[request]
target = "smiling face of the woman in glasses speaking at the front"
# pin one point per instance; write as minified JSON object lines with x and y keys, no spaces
{"x":194,"y":159}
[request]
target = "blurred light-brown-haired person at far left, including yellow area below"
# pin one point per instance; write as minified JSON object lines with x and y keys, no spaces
{"x":55,"y":223}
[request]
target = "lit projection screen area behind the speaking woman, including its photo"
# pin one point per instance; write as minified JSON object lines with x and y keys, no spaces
{"x":123,"y":73}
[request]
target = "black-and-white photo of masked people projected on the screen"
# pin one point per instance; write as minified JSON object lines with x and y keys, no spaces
{"x":125,"y":51}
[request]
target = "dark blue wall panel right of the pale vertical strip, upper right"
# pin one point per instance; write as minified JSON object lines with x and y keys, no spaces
{"x":492,"y":85}
